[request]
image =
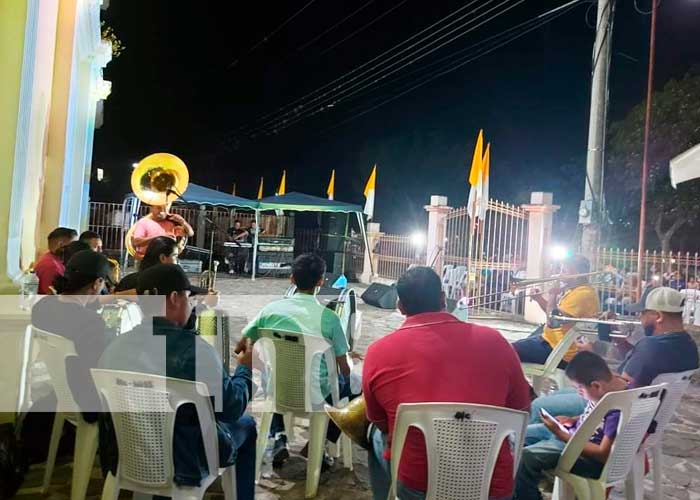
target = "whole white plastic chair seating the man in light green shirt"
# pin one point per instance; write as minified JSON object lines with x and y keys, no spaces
{"x":294,"y":360}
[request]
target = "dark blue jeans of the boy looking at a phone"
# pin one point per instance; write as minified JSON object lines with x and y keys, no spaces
{"x":542,"y":452}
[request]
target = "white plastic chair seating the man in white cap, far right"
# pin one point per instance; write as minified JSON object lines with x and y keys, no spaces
{"x":676,"y":385}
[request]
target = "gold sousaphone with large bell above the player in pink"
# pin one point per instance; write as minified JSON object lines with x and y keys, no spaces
{"x":157,"y":180}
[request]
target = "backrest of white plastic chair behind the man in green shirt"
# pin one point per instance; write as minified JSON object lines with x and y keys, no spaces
{"x":295,"y":361}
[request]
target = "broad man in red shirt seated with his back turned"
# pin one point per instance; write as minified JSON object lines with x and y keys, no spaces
{"x":434,"y":357}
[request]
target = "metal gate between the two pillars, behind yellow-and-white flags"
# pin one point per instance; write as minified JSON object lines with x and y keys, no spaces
{"x":481,"y":258}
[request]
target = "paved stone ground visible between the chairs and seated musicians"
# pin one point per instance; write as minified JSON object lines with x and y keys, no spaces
{"x":243,"y":298}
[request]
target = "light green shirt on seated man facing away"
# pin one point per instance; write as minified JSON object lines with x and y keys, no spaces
{"x":301,"y":313}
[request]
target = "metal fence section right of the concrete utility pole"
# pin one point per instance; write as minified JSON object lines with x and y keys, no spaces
{"x":679,"y":270}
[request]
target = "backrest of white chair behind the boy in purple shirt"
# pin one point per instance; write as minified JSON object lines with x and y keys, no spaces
{"x":637,"y":410}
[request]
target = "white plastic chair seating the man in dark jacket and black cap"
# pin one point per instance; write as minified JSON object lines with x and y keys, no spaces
{"x":143,"y":409}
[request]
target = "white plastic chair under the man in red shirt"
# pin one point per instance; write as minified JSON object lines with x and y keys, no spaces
{"x":462,"y":442}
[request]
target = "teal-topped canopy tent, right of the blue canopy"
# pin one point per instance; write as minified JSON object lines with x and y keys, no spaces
{"x":300,"y":202}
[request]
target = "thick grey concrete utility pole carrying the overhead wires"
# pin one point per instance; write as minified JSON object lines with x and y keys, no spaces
{"x":591,"y":209}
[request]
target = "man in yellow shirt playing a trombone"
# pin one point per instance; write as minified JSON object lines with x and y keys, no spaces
{"x":579,"y":300}
